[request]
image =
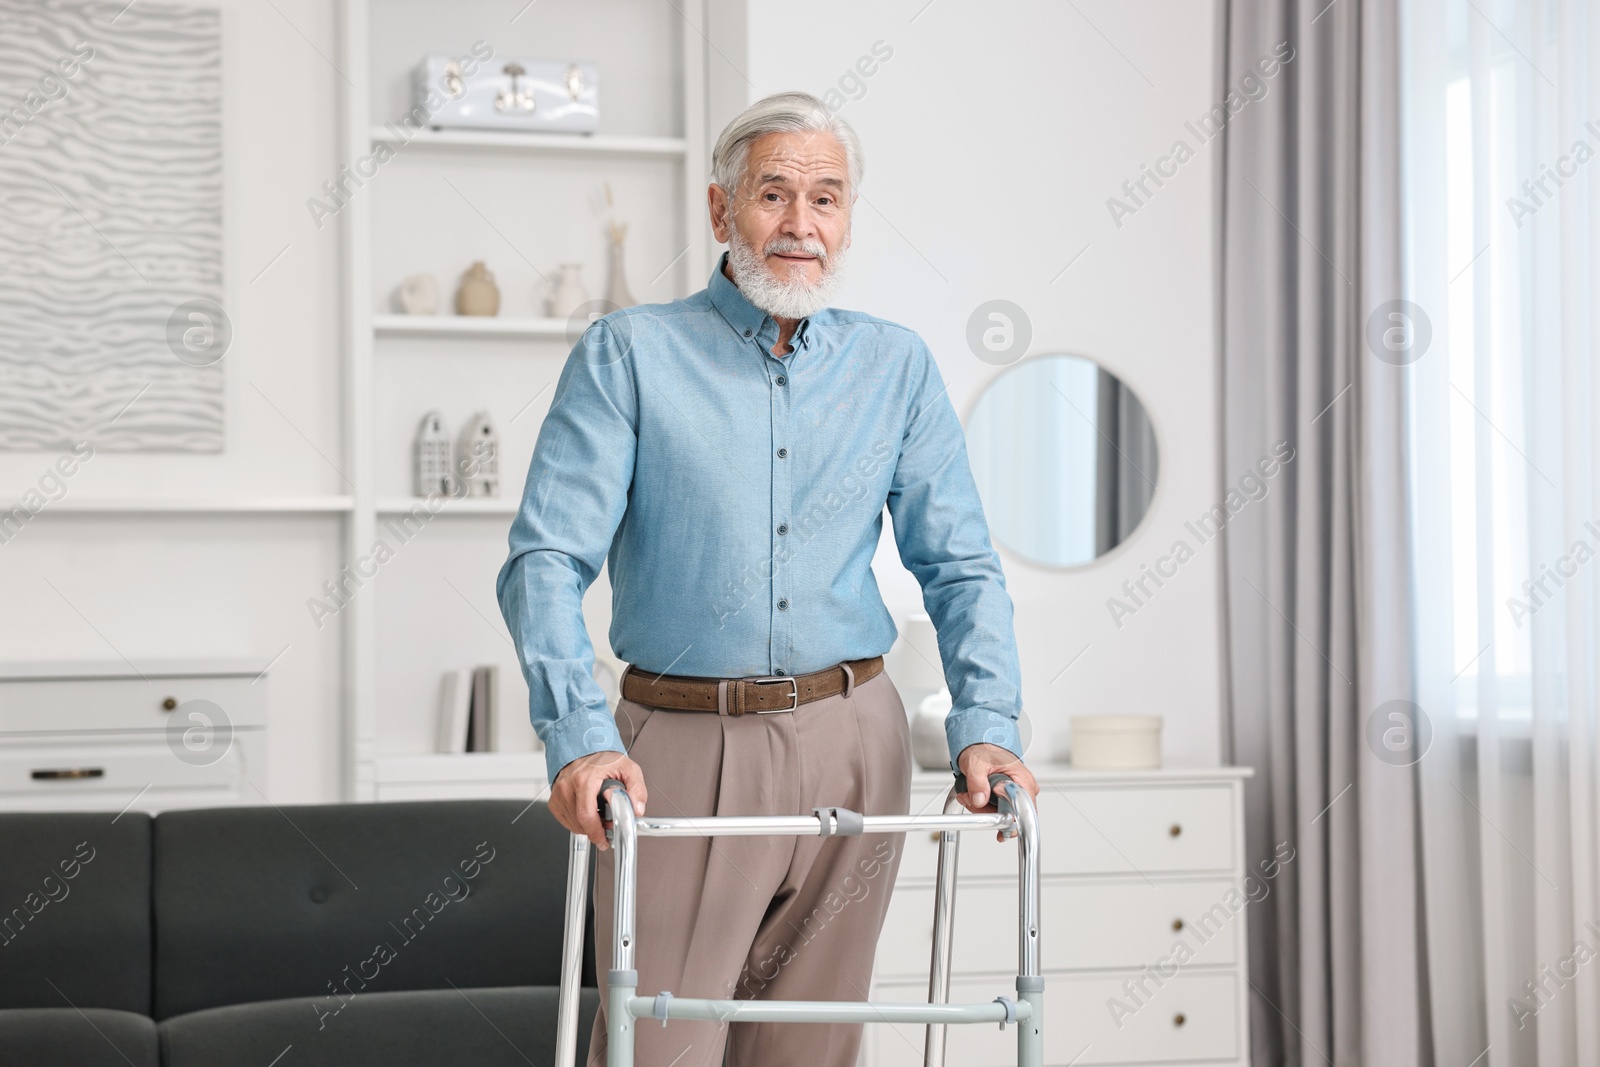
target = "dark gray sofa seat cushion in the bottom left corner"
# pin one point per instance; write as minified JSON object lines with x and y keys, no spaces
{"x":66,"y":1037}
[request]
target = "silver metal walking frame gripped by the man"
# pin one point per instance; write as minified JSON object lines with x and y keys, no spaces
{"x":1015,"y":818}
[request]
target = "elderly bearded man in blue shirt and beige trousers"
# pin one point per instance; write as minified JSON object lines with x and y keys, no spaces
{"x":730,"y":457}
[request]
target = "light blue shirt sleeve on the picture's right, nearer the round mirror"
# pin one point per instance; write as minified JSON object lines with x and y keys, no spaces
{"x":943,"y":541}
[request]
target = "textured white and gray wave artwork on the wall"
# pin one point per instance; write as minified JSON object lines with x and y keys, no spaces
{"x":111,"y":226}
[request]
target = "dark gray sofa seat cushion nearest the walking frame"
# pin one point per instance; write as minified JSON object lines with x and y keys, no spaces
{"x":486,"y":1028}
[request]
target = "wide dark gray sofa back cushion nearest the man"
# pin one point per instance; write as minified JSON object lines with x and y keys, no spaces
{"x":329,"y":901}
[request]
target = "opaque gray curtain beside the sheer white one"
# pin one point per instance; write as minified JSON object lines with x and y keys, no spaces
{"x":1316,"y":575}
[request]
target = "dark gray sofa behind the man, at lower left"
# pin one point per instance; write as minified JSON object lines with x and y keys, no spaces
{"x":348,"y":935}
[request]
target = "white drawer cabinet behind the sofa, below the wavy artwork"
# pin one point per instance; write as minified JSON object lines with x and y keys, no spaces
{"x":105,"y":735}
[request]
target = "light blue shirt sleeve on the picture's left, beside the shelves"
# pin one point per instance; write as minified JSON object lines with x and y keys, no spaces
{"x":572,"y":505}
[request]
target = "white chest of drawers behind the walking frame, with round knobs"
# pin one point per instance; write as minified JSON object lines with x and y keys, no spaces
{"x":1143,"y":935}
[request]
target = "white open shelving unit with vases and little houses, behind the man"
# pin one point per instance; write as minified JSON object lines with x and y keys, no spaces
{"x":654,"y":132}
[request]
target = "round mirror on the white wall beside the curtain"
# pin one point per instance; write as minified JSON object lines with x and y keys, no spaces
{"x":1065,"y":460}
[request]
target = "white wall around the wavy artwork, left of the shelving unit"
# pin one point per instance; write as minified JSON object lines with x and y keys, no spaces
{"x":105,"y":588}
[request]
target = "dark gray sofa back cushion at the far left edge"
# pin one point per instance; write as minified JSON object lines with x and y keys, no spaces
{"x":76,"y":911}
